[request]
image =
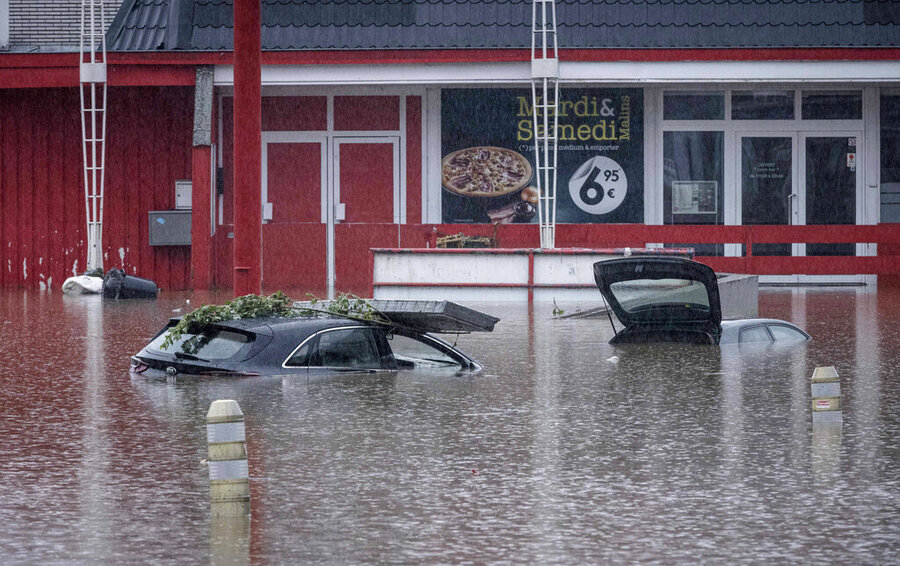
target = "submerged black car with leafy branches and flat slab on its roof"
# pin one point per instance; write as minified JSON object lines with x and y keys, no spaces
{"x":320,"y":344}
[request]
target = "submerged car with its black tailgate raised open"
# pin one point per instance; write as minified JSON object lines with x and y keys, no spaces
{"x":673,"y":299}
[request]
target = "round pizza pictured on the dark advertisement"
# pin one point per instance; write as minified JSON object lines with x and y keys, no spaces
{"x":485,"y":171}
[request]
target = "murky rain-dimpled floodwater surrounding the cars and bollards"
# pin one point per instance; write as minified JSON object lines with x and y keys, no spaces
{"x":554,"y":454}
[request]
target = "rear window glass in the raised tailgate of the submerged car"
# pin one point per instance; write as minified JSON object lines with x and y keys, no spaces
{"x":637,"y":295}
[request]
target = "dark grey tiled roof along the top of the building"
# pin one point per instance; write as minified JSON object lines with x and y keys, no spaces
{"x":296,"y":25}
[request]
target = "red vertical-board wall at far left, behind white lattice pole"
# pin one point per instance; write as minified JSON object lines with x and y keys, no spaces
{"x":42,"y":183}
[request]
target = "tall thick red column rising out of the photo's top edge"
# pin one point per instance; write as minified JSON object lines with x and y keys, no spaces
{"x":247,"y":149}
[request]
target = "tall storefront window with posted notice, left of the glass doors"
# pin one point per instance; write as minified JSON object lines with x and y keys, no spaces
{"x":693,"y":182}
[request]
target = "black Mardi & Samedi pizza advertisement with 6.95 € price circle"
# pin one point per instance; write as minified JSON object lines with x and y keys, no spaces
{"x":488,"y":171}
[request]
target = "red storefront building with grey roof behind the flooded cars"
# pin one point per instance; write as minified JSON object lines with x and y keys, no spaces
{"x":749,"y":133}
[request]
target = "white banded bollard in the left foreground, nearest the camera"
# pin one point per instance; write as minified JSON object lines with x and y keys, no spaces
{"x":229,"y":477}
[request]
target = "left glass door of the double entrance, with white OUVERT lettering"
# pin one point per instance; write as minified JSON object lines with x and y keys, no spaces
{"x":768,"y":179}
